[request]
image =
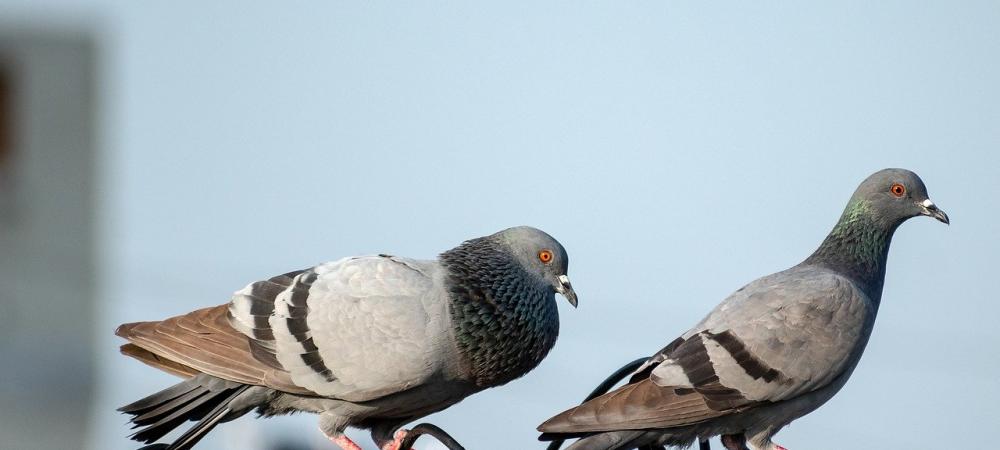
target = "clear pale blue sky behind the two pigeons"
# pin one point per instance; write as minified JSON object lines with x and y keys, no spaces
{"x":677,"y":149}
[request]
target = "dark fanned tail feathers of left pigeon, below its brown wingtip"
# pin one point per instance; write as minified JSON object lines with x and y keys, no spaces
{"x":202,"y":398}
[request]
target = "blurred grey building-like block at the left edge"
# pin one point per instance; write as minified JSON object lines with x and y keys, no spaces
{"x":47,"y":234}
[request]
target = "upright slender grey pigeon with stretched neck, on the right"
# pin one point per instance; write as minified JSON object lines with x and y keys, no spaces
{"x":771,"y":352}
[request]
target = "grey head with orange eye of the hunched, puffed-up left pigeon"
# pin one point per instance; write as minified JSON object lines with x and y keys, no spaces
{"x":540,"y":255}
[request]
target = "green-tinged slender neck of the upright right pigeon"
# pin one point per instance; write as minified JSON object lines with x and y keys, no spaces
{"x":857,"y":247}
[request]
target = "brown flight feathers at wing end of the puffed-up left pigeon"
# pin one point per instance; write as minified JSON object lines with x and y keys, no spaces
{"x":203,"y":341}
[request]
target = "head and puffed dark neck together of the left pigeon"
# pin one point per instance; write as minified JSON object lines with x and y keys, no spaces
{"x":502,"y":289}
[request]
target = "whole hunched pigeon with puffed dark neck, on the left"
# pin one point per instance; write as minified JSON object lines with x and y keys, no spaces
{"x":371,"y":342}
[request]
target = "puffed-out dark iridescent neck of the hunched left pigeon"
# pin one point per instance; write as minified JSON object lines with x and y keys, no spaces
{"x":504,"y":321}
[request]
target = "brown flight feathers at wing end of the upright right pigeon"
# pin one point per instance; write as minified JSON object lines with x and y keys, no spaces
{"x":639,"y":405}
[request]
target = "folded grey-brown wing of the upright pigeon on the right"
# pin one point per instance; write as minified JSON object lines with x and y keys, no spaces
{"x":778,"y":337}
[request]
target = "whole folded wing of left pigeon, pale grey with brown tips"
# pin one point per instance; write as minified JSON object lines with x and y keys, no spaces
{"x":355,"y":329}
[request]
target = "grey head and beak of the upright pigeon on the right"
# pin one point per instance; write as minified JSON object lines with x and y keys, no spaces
{"x":894,"y":195}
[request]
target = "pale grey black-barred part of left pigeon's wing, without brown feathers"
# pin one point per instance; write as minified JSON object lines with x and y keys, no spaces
{"x":355,"y":329}
